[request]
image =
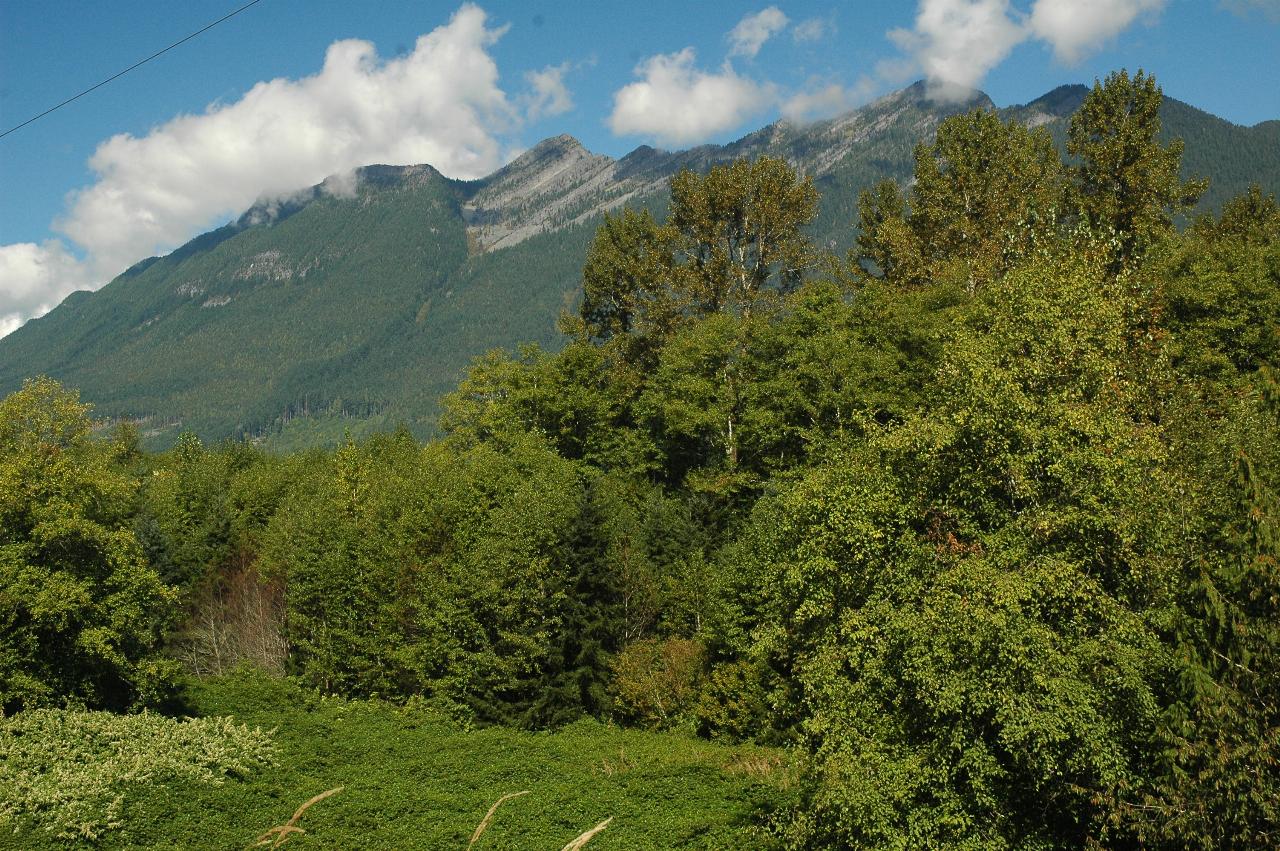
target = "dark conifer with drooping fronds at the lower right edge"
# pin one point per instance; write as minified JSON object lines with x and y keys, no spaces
{"x":1219,"y":785}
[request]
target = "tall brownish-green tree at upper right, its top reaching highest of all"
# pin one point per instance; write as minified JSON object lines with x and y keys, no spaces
{"x":1127,"y":180}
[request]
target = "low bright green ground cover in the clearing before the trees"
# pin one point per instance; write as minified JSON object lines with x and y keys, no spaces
{"x":412,"y":780}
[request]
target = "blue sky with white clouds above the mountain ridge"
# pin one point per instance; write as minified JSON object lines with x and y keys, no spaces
{"x":291,"y":93}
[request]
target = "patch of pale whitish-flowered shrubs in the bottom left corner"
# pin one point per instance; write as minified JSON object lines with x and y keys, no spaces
{"x":68,"y":774}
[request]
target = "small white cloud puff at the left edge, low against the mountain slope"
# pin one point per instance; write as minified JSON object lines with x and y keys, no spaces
{"x":34,"y":278}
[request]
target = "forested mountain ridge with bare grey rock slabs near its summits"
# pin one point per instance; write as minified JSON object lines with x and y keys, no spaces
{"x":358,"y":304}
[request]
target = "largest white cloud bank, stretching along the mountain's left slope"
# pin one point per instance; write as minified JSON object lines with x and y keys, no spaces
{"x":440,"y":104}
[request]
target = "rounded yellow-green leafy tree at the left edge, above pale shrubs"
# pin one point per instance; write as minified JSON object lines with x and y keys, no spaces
{"x":83,"y":614}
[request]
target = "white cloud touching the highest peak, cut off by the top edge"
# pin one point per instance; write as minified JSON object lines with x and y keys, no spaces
{"x":956,"y":43}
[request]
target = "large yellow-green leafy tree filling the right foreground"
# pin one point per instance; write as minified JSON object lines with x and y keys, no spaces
{"x":963,"y":603}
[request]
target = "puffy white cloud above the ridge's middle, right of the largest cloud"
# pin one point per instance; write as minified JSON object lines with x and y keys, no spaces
{"x":678,"y":104}
